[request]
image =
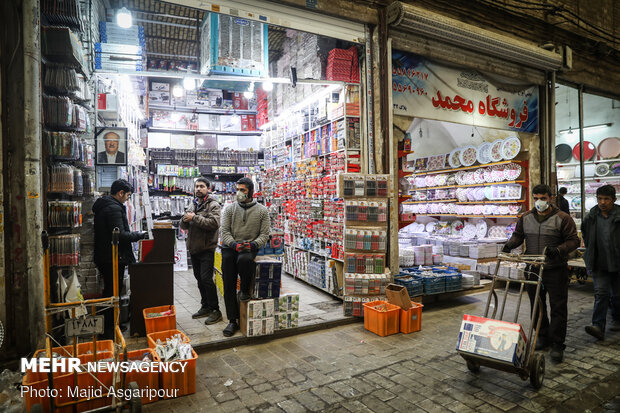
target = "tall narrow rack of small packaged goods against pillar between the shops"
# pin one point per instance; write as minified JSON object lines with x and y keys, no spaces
{"x":366,"y":211}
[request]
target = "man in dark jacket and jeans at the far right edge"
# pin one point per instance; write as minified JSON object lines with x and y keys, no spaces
{"x":601,"y":237}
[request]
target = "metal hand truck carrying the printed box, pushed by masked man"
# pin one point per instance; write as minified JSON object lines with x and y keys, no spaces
{"x":533,"y":366}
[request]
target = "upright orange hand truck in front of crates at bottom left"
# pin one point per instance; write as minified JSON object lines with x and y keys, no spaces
{"x":118,"y":382}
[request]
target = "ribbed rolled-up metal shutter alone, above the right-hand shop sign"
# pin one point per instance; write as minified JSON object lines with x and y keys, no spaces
{"x":417,"y":20}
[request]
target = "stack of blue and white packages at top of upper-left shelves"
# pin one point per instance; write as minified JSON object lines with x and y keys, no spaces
{"x":120,"y":49}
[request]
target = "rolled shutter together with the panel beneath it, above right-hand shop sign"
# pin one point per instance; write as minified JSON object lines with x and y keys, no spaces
{"x":416,"y":30}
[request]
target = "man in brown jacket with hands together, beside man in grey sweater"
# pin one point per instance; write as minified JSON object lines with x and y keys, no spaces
{"x":202,"y":220}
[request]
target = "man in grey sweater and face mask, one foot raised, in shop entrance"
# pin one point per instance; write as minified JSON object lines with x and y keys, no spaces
{"x":245,"y":229}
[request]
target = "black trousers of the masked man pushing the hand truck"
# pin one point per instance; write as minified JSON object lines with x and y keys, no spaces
{"x":554,"y":285}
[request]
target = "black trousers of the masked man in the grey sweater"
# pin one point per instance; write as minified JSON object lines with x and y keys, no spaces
{"x":234,"y":263}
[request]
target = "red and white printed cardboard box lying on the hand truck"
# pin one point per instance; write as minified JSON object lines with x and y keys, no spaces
{"x":493,"y":339}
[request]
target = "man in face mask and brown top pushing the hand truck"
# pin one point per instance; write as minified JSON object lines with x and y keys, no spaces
{"x":546,"y":226}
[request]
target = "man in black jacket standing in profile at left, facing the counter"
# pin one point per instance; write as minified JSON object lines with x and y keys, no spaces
{"x":110,"y":213}
